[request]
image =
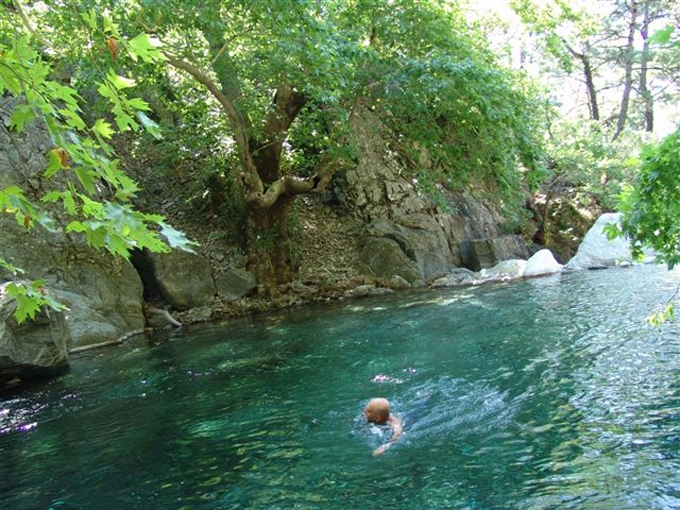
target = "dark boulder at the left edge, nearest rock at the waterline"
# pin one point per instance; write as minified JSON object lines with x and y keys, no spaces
{"x":34,"y":347}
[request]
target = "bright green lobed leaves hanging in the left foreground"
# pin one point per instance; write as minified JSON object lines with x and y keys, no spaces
{"x":81,"y":149}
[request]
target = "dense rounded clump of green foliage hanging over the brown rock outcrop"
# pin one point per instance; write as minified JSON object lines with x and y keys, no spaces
{"x":457,"y":116}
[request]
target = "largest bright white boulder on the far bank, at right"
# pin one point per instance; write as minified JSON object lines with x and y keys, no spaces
{"x":596,"y":250}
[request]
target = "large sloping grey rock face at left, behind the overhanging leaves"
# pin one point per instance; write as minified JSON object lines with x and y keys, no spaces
{"x":103,"y":294}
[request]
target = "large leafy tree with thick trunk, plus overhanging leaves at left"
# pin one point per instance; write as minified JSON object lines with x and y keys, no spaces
{"x":284,"y":81}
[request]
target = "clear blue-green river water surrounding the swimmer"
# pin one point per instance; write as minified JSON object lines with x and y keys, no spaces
{"x":548,"y":393}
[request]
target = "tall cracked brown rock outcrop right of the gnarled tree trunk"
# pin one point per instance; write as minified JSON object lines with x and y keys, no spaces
{"x":418,"y":241}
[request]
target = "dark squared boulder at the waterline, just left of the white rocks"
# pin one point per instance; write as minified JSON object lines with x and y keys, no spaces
{"x":486,"y":253}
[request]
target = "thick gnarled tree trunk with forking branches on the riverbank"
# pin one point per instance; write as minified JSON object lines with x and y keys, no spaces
{"x":268,"y":191}
